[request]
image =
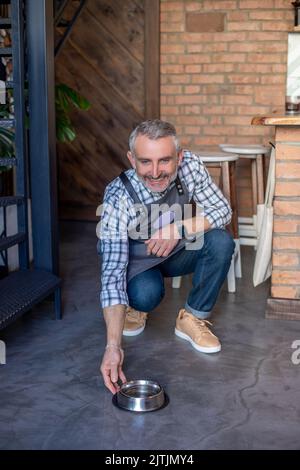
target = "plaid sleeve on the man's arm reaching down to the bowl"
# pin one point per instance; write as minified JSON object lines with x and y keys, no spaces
{"x":113,"y":249}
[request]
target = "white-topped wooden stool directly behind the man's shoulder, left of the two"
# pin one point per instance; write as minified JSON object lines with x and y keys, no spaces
{"x":226,"y":162}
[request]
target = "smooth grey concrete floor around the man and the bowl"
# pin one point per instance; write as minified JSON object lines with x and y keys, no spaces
{"x":52,"y":397}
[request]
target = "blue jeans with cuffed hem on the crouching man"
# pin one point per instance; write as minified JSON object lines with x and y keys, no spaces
{"x":210,"y":265}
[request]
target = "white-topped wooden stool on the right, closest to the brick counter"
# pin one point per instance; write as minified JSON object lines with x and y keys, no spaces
{"x":257,"y":153}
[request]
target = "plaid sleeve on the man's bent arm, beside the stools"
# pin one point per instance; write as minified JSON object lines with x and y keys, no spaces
{"x":215,"y":206}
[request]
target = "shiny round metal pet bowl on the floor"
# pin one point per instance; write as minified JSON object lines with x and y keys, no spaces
{"x":140,"y":396}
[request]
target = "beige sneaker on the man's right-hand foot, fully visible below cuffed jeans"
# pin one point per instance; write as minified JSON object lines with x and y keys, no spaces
{"x":196,"y":331}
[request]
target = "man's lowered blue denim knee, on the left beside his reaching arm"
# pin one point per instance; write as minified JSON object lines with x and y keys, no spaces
{"x":145,"y":297}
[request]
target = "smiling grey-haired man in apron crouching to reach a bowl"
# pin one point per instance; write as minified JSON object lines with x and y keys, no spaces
{"x":143,"y":238}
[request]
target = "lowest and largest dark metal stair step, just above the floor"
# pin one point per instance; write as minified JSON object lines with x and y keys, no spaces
{"x":22,"y":290}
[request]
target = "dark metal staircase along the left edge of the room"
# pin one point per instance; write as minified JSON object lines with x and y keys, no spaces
{"x":23,"y":289}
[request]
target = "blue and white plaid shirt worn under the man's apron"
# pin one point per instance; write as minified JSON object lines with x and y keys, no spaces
{"x":118,"y":214}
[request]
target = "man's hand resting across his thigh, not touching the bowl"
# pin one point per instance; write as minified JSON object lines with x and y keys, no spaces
{"x":163,"y":241}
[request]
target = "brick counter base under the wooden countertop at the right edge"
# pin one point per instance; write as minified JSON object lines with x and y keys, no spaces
{"x":286,"y":239}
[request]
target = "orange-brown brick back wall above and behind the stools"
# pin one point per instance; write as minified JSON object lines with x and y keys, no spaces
{"x":223,"y":61}
